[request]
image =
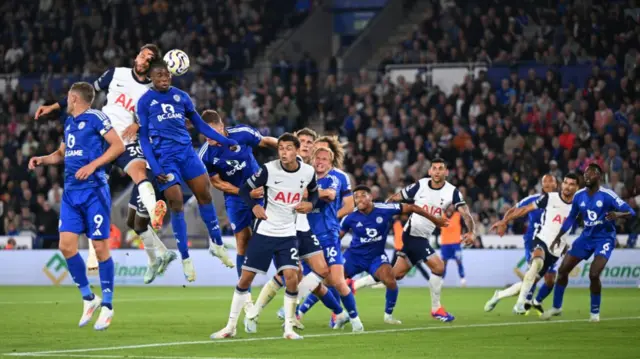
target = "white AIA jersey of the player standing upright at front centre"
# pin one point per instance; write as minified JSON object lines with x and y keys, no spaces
{"x":283,"y":191}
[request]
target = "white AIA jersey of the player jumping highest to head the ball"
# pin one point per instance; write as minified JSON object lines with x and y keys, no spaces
{"x":123,"y":92}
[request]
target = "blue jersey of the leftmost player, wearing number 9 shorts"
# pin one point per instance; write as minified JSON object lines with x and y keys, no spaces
{"x":84,"y":142}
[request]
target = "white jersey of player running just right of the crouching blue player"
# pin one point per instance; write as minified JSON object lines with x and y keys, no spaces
{"x":434,"y":201}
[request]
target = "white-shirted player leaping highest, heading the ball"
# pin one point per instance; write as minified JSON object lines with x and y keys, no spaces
{"x":124,"y":87}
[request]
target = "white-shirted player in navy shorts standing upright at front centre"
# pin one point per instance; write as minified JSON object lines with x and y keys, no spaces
{"x":274,"y":234}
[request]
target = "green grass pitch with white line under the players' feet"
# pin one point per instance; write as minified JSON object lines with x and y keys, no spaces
{"x":175,"y":322}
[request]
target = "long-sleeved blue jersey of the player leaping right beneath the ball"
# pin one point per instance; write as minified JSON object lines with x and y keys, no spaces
{"x":163,"y":128}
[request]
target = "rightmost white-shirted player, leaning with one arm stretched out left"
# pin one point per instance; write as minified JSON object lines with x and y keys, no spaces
{"x":555,"y":207}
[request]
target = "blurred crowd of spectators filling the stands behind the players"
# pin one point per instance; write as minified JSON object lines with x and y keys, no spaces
{"x":499,"y":131}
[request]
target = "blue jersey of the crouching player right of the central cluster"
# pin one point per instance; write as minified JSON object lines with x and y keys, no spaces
{"x":369,"y":231}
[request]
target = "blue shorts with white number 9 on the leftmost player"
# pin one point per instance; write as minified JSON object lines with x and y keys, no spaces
{"x":86,"y":211}
